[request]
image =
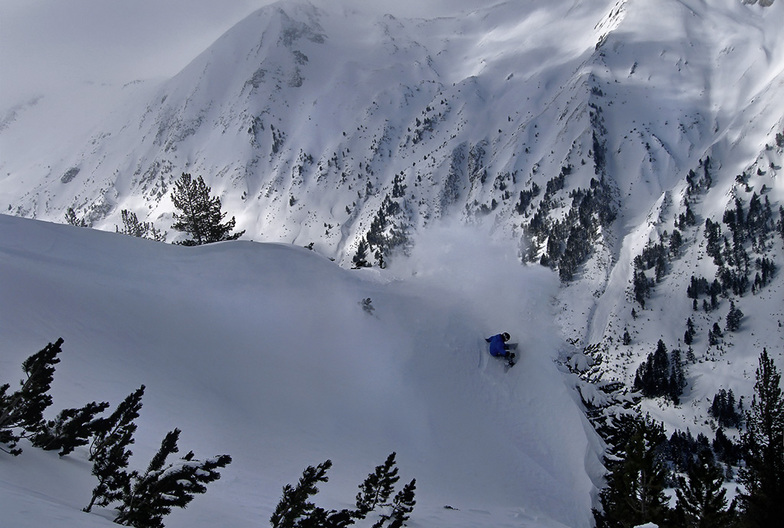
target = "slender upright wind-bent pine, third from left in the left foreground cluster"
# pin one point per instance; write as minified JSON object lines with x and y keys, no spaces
{"x":109,"y":451}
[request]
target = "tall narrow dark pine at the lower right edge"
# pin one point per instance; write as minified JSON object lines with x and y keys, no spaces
{"x":762,"y":501}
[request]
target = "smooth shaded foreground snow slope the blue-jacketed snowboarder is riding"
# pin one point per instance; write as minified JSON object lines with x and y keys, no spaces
{"x":263,"y":351}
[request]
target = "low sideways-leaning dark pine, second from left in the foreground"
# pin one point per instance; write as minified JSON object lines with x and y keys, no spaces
{"x":70,"y":429}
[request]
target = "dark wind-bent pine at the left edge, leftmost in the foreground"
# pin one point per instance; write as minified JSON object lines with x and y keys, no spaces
{"x":24,"y":408}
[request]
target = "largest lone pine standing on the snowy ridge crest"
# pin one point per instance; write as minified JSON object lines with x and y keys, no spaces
{"x":199,"y":213}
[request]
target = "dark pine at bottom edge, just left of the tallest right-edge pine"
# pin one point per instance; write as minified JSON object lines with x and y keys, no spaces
{"x":702,"y":501}
